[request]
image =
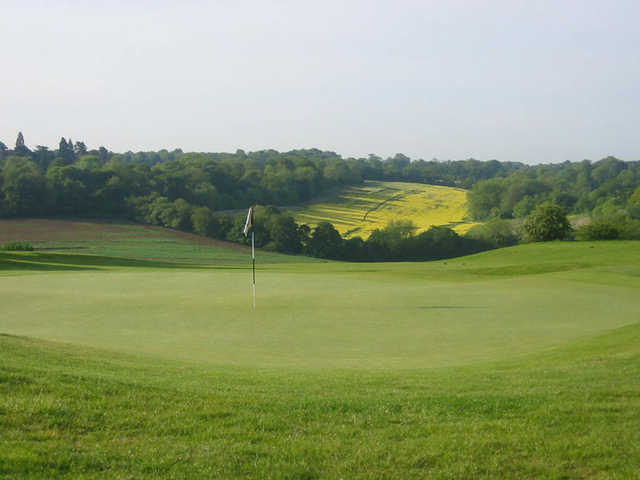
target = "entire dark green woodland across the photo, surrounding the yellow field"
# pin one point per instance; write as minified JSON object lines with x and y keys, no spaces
{"x":184,"y":191}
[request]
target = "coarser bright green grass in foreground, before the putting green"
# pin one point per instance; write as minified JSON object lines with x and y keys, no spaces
{"x":67,"y":412}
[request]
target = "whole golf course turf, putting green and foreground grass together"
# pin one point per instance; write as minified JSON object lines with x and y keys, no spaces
{"x":516,"y":363}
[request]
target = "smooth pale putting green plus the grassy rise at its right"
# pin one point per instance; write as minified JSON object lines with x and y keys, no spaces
{"x":491,"y":306}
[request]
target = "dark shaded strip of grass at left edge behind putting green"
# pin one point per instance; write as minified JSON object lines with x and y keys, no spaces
{"x":36,"y":261}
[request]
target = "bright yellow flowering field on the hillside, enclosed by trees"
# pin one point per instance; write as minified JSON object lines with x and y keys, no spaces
{"x":360,"y":210}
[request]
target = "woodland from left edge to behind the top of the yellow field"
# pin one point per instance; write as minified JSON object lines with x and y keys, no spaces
{"x":161,"y":187}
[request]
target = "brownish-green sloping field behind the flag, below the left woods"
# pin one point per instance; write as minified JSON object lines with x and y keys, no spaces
{"x":130,"y":240}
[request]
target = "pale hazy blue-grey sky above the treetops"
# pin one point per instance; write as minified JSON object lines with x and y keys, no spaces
{"x":529,"y":81}
